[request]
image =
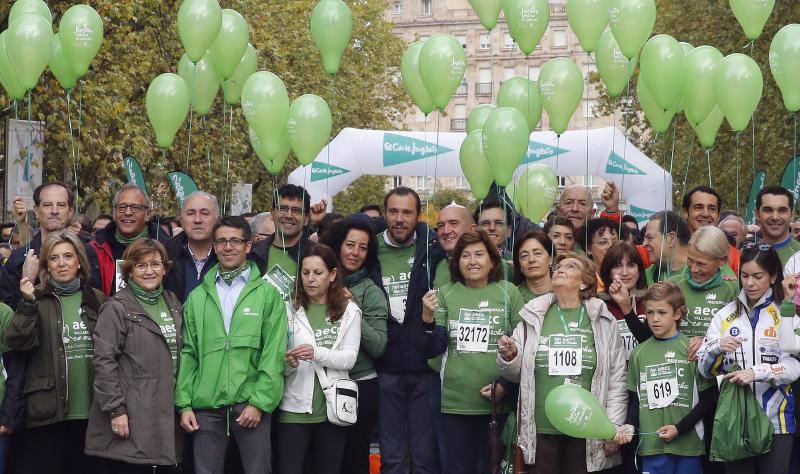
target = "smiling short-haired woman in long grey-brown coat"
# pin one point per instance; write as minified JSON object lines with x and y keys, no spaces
{"x":137,"y":339}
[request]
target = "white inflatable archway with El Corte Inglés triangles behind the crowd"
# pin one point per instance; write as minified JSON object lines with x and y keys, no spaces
{"x":354,"y":152}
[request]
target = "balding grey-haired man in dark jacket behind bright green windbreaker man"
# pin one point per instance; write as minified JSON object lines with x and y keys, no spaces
{"x":190,"y":251}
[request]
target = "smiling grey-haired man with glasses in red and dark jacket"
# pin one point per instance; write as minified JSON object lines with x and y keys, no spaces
{"x":131,"y":214}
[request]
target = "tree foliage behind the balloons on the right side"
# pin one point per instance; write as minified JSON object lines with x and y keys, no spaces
{"x":734,"y":159}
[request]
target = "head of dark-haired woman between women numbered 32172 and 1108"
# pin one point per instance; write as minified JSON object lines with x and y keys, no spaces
{"x":533,"y":257}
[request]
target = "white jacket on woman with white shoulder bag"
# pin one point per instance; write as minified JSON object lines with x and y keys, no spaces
{"x":339,"y":359}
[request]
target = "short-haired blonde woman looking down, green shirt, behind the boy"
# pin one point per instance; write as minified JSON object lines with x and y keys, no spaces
{"x":702,"y":283}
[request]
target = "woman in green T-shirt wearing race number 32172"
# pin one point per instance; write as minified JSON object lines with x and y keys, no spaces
{"x":466,"y":318}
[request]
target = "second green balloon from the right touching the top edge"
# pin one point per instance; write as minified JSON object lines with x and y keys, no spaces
{"x":632,"y":22}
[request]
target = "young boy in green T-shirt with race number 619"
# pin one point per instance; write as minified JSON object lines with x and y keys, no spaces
{"x":667,"y":398}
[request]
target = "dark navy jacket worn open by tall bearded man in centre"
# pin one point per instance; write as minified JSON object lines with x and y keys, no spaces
{"x":407,"y":342}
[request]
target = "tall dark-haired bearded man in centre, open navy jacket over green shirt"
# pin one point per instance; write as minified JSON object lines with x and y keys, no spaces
{"x":409,"y":256}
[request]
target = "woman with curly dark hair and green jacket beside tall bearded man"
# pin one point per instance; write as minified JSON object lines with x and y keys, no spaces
{"x":357,"y":248}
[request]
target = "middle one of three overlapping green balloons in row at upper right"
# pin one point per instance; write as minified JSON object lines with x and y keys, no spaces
{"x":698,"y":86}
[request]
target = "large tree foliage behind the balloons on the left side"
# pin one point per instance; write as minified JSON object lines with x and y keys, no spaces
{"x":141,"y":41}
